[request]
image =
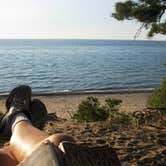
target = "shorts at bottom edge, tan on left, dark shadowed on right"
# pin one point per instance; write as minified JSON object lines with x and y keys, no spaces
{"x":75,"y":155}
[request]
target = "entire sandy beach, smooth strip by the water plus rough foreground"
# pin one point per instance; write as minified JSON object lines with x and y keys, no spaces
{"x":139,"y":145}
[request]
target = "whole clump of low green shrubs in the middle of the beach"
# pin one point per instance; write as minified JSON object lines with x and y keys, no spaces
{"x":91,"y":110}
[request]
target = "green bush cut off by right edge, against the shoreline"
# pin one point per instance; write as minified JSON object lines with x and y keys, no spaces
{"x":158,"y":97}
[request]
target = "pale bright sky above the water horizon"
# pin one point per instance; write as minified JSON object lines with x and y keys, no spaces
{"x":69,"y":19}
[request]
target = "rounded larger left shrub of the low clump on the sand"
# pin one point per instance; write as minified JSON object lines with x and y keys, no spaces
{"x":90,"y":110}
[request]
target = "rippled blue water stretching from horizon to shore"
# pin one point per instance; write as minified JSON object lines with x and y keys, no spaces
{"x":60,"y":65}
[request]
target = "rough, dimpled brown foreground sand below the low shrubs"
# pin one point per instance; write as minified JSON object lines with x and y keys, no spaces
{"x":135,"y":146}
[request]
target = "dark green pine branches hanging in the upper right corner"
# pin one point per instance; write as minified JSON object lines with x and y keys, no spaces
{"x":149,"y":13}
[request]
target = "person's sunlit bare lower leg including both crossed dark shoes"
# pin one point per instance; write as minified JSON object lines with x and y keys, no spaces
{"x":16,"y":126}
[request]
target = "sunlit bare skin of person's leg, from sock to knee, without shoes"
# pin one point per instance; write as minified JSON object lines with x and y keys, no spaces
{"x":25,"y":138}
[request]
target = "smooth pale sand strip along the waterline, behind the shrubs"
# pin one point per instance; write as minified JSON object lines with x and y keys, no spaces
{"x":64,"y":105}
